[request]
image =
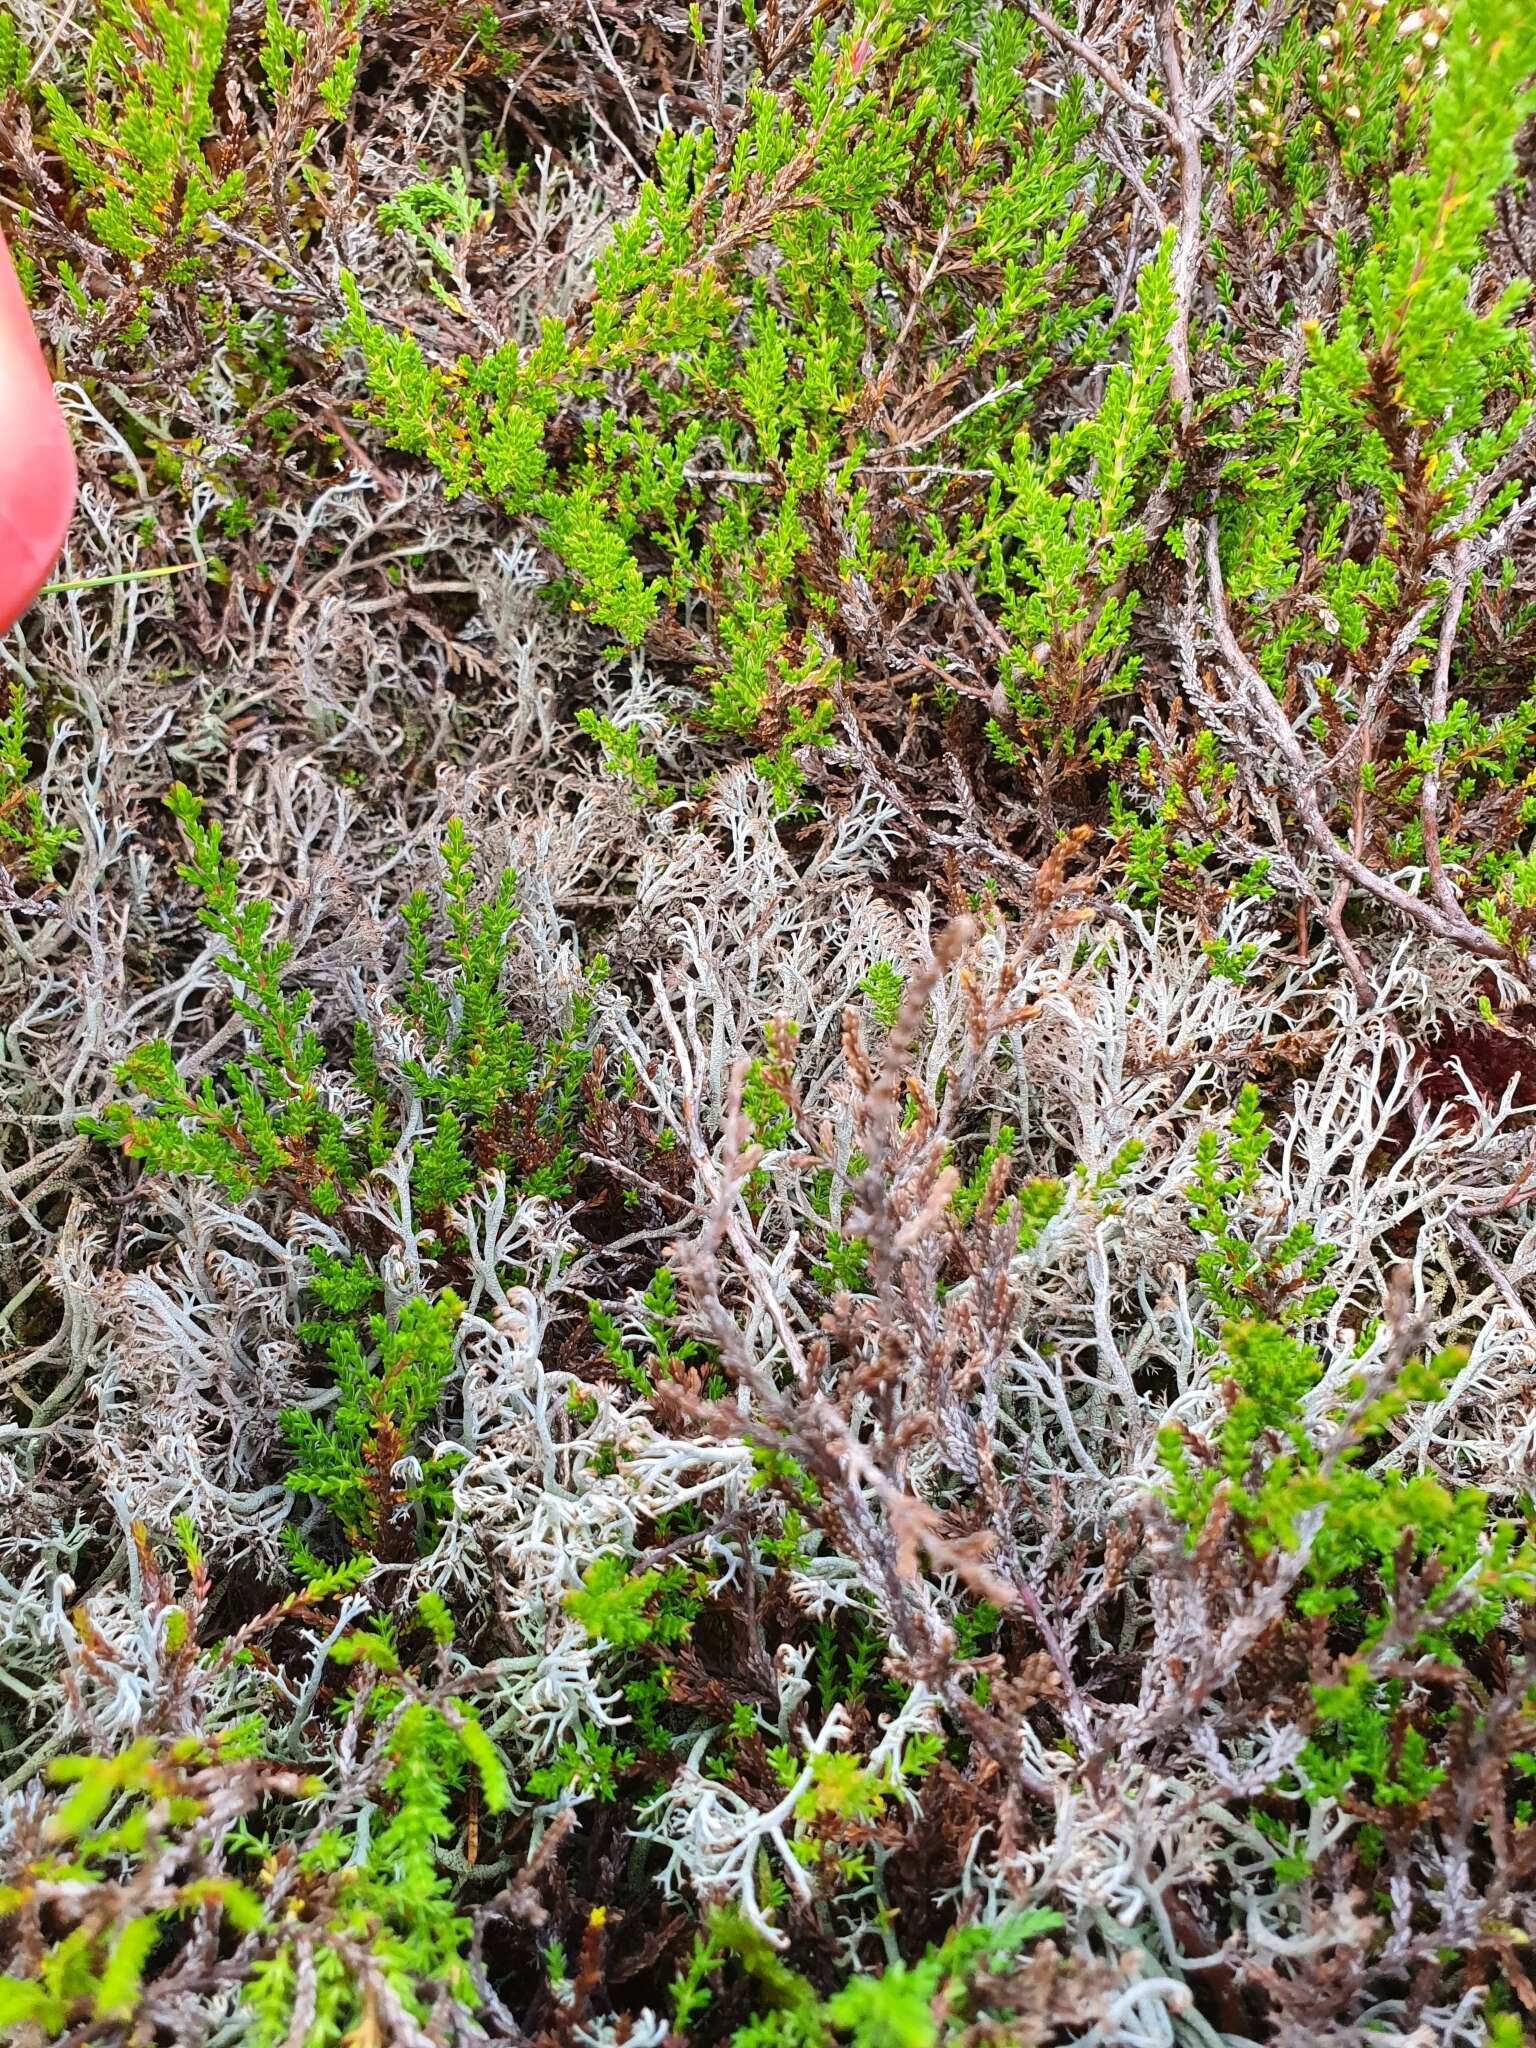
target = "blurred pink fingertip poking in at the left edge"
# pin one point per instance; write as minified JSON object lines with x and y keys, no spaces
{"x":36,"y":458}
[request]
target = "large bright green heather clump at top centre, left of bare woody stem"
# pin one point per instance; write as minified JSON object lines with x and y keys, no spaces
{"x":718,"y":419}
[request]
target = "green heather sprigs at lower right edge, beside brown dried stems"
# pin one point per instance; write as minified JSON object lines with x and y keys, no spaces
{"x":1398,"y":1572}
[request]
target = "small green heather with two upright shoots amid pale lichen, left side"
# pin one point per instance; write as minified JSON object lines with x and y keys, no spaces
{"x":300,"y":1119}
